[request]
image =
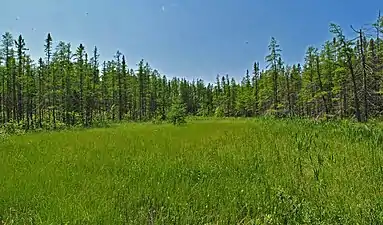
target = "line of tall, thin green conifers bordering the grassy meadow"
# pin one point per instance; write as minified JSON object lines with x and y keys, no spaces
{"x":343,"y":78}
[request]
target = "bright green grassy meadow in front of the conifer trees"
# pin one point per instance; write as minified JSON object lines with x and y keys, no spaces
{"x":232,"y":171}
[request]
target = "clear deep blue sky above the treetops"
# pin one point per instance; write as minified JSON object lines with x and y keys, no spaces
{"x":185,"y":38}
